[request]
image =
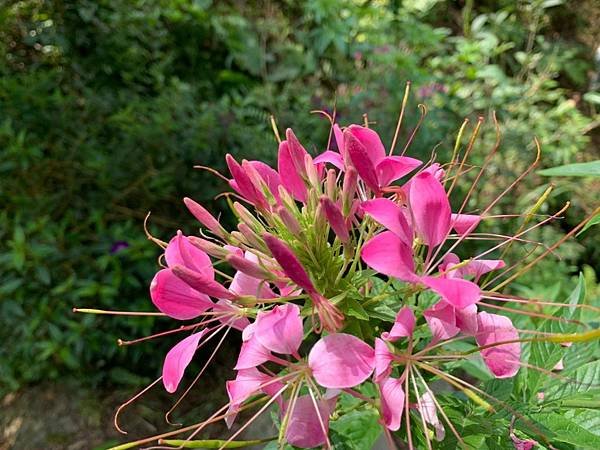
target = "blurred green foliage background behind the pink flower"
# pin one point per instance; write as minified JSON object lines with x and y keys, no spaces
{"x":105,"y":106}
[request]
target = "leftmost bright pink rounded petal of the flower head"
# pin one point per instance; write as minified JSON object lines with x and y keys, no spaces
{"x":175,"y":298}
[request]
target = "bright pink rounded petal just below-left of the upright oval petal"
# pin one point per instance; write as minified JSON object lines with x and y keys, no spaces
{"x":387,"y":254}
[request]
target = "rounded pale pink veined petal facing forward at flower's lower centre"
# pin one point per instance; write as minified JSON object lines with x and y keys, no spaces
{"x":341,"y":361}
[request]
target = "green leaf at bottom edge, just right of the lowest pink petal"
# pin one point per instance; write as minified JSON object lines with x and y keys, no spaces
{"x":356,"y":430}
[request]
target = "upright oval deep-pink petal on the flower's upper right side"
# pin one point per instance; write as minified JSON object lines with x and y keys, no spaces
{"x":430,"y":208}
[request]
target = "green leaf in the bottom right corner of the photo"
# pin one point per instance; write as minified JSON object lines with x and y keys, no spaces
{"x":562,"y":429}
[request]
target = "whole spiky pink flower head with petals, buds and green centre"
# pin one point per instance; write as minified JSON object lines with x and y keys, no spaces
{"x":310,"y":234}
